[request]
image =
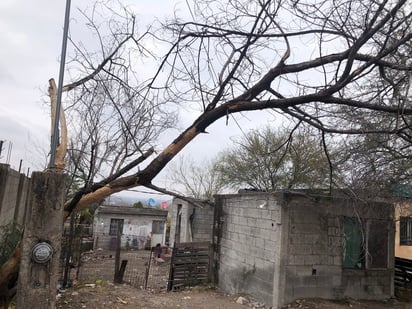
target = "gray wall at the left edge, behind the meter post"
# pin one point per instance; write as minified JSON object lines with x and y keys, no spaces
{"x":14,"y":188}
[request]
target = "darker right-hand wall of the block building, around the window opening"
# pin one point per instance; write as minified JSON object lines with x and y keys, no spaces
{"x":314,"y":252}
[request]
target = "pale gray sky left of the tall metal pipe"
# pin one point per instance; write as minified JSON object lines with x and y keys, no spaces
{"x":31,"y":39}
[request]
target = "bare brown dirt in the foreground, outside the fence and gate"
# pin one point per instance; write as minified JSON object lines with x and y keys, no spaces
{"x":124,"y":296}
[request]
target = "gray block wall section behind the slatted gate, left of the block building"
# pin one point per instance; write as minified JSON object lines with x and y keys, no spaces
{"x":201,"y":227}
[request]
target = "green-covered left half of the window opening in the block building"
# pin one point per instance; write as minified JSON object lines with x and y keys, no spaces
{"x":352,"y":244}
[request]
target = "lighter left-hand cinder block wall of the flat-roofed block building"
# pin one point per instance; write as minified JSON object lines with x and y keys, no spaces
{"x":250,"y":245}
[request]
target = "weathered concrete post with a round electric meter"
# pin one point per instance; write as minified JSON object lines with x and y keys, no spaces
{"x":39,"y":267}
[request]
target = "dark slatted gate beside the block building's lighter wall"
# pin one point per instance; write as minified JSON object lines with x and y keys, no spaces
{"x":190,"y":265}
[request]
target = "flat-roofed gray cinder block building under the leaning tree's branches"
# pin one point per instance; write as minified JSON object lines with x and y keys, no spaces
{"x":283,"y":246}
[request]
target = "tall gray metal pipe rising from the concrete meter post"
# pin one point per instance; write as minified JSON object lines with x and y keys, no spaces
{"x":55,"y":135}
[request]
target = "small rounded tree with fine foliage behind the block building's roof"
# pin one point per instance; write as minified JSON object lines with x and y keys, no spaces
{"x":271,"y":159}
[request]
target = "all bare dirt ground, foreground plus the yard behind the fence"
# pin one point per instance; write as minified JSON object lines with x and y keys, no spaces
{"x":96,"y":290}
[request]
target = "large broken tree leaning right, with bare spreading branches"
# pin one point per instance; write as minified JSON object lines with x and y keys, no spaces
{"x":247,"y":56}
